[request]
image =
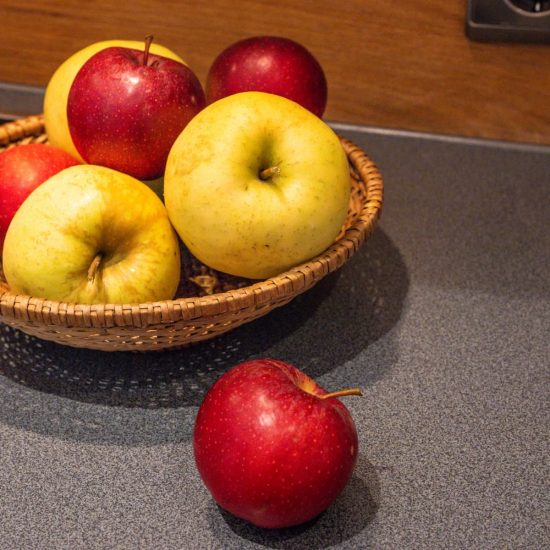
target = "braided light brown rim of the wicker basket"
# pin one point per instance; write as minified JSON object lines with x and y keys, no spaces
{"x":295,"y":280}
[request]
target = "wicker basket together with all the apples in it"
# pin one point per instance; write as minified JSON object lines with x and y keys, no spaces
{"x":143,"y":212}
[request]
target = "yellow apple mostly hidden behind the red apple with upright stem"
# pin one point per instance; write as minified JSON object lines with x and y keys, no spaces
{"x":57,"y":90}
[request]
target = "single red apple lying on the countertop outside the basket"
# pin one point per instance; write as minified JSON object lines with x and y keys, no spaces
{"x":272,"y":446}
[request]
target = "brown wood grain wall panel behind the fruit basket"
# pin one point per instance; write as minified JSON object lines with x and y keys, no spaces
{"x":399,"y":65}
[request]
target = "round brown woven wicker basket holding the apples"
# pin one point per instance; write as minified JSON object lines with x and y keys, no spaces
{"x":207,"y":303}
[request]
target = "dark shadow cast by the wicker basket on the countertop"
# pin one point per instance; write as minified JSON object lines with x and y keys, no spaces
{"x":319,"y":330}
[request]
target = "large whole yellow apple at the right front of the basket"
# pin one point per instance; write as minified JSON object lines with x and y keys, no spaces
{"x":256,"y":184}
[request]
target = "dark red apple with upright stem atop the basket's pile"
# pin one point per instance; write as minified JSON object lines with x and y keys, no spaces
{"x":126,"y":108}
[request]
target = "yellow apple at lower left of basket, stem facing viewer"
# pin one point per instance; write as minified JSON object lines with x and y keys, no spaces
{"x":90,"y":235}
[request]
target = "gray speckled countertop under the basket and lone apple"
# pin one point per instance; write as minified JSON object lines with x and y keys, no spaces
{"x":442,"y":318}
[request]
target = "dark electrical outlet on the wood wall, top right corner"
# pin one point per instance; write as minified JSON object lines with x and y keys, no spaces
{"x":508,"y":20}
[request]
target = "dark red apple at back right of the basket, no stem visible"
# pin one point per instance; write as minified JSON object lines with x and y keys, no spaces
{"x":269,"y":64}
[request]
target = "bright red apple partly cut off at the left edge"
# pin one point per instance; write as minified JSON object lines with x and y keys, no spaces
{"x":22,"y":169}
